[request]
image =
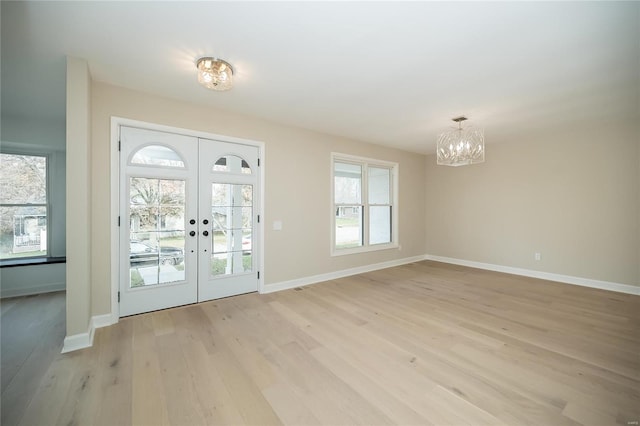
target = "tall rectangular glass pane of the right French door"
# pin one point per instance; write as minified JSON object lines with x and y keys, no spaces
{"x":231,"y":228}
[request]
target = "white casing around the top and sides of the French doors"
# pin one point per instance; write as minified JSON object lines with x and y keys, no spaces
{"x":114,"y":228}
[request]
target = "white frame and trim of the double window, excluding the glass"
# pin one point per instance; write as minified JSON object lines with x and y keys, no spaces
{"x":365,"y":162}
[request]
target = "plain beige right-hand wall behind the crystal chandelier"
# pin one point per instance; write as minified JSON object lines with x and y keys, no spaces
{"x":573,"y":195}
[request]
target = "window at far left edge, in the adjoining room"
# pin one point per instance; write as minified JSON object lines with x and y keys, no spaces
{"x":23,"y":206}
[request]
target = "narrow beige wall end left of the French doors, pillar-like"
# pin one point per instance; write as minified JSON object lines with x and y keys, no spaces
{"x":78,"y":197}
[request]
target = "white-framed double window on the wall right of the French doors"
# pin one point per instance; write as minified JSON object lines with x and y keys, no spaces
{"x":364,"y":204}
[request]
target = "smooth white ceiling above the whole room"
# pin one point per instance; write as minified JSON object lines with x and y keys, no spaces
{"x":390,"y":73}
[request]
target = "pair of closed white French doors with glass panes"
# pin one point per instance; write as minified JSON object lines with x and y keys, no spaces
{"x":188,"y":228}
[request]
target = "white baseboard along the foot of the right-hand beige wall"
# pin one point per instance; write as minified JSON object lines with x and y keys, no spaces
{"x":567,"y":279}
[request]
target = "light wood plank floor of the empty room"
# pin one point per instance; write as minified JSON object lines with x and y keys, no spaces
{"x":425,"y":343}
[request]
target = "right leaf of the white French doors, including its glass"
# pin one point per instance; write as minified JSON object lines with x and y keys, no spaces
{"x":228,"y":200}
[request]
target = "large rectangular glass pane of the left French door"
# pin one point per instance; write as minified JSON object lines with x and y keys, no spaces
{"x":157,"y":237}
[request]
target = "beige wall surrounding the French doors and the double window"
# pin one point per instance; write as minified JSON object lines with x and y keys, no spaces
{"x":297,"y":186}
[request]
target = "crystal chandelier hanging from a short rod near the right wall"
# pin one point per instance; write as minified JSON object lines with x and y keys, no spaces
{"x":460,"y":147}
